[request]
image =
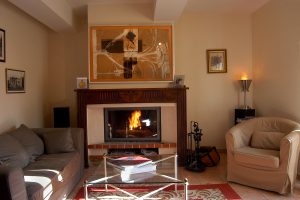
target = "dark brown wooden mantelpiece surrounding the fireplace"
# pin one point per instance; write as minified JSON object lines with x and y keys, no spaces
{"x":90,"y":97}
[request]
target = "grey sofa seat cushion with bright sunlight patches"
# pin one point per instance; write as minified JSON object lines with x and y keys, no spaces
{"x":50,"y":173}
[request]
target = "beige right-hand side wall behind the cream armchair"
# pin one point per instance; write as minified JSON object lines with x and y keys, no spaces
{"x":276,"y":58}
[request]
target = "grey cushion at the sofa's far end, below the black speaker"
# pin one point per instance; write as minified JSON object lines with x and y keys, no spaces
{"x":58,"y":141}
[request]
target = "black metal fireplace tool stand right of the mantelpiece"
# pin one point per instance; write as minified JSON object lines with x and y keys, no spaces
{"x":194,"y":162}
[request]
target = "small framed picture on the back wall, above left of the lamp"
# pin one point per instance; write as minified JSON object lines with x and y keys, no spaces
{"x":216,"y":60}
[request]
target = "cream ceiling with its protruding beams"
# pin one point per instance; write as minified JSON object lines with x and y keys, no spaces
{"x":56,"y":13}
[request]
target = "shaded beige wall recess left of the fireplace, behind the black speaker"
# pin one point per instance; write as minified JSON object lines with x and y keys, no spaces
{"x":68,"y":58}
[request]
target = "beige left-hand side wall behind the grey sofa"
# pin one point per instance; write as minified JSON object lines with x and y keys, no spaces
{"x":26,"y":49}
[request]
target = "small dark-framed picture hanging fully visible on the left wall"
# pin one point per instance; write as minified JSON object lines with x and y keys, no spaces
{"x":15,"y":81}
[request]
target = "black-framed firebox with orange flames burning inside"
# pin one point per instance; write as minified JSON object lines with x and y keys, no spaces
{"x":132,"y":124}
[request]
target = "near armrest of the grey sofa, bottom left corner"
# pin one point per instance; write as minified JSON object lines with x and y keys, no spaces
{"x":12,"y":184}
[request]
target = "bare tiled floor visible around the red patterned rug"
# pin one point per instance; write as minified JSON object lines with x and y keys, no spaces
{"x":218,"y":175}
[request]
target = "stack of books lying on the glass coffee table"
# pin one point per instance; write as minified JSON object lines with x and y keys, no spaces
{"x":132,"y":165}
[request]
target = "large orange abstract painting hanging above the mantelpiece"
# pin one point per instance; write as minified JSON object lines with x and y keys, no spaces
{"x":130,"y":53}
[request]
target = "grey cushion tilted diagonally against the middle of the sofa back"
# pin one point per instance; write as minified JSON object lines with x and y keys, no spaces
{"x":32,"y":143}
